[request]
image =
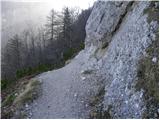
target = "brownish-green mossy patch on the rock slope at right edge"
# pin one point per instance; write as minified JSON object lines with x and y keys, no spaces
{"x":148,"y":80}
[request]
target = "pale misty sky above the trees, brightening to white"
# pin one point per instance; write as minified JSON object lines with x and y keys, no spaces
{"x":17,"y":15}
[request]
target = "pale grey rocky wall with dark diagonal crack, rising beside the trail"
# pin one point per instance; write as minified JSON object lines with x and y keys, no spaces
{"x":119,"y":33}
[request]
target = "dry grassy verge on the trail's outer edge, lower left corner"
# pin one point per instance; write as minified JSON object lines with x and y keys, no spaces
{"x":27,"y":90}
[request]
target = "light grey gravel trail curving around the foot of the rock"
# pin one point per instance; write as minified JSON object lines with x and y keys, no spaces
{"x":63,"y":94}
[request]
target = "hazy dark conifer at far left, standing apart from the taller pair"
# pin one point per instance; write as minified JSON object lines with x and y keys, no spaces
{"x":12,"y":57}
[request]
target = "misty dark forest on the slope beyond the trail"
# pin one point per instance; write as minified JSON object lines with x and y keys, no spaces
{"x":32,"y":52}
